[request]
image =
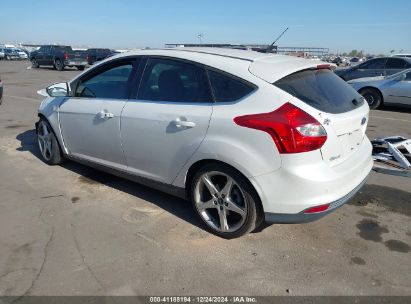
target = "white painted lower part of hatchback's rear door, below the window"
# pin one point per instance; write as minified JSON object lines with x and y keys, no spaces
{"x":155,"y":144}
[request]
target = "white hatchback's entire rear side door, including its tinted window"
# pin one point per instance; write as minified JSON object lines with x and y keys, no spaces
{"x":168,"y":121}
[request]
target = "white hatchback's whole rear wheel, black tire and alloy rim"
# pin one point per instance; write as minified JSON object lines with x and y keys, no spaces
{"x":234,"y":209}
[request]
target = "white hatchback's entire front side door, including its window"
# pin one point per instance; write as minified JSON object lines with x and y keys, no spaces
{"x":90,"y":121}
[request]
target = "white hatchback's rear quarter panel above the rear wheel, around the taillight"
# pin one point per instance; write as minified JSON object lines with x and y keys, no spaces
{"x":252,"y":152}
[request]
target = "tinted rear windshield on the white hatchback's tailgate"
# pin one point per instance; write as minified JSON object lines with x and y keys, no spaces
{"x":321,"y":89}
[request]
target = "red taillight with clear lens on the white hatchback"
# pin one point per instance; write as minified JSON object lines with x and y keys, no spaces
{"x":292,"y":129}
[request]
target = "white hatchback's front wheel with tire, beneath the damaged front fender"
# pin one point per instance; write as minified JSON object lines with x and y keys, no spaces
{"x":48,"y":144}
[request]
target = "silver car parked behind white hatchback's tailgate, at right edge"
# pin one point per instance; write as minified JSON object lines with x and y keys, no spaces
{"x":393,"y":89}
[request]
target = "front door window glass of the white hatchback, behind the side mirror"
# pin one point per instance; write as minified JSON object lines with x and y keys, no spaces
{"x":111,"y":83}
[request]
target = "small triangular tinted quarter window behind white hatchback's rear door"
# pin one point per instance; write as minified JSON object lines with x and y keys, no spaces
{"x":226,"y":88}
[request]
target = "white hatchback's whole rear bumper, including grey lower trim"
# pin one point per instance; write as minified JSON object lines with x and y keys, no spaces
{"x":306,"y":181}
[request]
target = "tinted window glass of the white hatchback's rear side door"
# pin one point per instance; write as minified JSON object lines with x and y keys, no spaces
{"x":174,"y":81}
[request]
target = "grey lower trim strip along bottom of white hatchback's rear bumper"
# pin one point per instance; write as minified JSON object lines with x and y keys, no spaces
{"x":310,"y":217}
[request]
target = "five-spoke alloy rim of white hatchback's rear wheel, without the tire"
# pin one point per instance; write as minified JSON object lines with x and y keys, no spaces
{"x":220,"y":201}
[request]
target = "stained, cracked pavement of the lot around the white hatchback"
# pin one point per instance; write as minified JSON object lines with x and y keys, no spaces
{"x":71,"y":230}
